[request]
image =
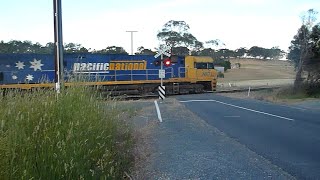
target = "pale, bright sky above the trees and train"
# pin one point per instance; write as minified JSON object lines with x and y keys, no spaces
{"x":97,"y":24}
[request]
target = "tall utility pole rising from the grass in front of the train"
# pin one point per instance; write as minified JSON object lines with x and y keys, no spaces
{"x":58,"y":45}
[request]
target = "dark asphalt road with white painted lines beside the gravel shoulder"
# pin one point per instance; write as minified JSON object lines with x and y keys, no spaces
{"x":287,"y":137}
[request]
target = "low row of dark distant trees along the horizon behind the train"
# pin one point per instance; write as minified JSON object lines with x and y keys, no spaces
{"x":16,"y":46}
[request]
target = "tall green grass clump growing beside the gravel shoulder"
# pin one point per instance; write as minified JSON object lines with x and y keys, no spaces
{"x":72,"y":136}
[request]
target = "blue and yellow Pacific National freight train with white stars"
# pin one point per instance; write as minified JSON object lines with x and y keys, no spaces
{"x":119,"y":74}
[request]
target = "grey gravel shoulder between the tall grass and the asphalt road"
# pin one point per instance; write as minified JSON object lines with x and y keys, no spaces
{"x":184,"y":146}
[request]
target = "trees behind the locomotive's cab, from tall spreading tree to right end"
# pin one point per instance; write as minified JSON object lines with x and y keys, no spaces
{"x":176,"y":35}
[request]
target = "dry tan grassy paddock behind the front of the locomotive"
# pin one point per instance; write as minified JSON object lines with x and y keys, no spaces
{"x":259,"y":70}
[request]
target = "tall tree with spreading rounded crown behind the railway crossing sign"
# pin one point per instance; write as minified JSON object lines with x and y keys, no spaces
{"x":176,"y":34}
